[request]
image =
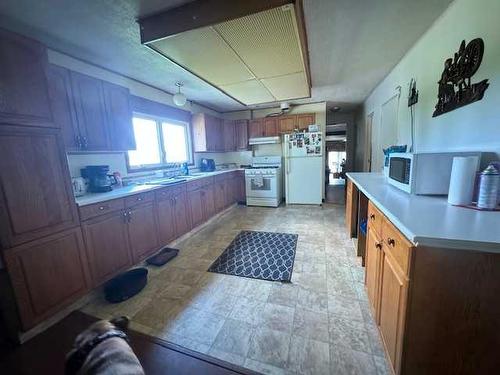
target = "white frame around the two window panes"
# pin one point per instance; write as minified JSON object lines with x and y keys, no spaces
{"x":163,"y":155}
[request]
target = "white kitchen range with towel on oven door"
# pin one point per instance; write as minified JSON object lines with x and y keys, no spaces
{"x":263,"y":181}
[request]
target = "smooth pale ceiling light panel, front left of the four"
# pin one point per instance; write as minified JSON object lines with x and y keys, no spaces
{"x":203,"y":52}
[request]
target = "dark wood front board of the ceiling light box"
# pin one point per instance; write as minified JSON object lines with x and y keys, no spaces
{"x":198,"y":14}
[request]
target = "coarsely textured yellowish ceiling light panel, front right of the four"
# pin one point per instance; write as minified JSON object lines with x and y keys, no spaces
{"x":267,"y":42}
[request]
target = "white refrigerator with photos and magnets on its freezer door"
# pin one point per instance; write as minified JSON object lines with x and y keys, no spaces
{"x":303,"y":153}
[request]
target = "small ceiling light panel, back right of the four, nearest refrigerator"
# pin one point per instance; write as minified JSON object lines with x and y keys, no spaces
{"x":286,"y":87}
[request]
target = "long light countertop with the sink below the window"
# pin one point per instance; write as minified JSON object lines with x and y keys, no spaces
{"x":125,"y":191}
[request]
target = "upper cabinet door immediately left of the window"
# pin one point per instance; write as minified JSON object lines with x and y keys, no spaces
{"x":119,"y":117}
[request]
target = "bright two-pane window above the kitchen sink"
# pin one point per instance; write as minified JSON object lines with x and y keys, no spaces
{"x":159,"y":142}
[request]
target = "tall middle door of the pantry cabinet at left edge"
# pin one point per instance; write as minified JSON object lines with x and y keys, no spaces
{"x":36,"y":195}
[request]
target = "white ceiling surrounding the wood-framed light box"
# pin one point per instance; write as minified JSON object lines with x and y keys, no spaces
{"x":353,"y":44}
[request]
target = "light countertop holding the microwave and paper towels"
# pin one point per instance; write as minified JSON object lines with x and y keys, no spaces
{"x":430,"y":220}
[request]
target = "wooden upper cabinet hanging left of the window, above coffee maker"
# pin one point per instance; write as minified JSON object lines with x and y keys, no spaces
{"x":93,"y":115}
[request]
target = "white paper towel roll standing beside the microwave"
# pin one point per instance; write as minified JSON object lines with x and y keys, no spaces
{"x":463,"y":172}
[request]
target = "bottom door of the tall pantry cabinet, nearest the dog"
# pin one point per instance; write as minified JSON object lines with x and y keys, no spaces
{"x":47,"y":274}
